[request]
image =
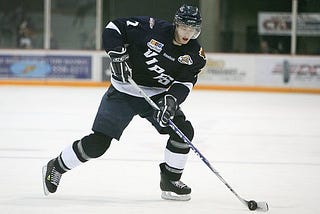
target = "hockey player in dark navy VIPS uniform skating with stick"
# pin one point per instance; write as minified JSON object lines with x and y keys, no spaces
{"x":164,"y":59}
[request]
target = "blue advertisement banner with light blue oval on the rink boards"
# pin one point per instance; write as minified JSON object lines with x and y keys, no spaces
{"x":45,"y":66}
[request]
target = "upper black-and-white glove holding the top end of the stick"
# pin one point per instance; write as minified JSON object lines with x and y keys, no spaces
{"x":119,"y":64}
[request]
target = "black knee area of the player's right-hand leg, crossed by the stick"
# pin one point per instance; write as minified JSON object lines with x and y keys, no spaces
{"x":175,"y":143}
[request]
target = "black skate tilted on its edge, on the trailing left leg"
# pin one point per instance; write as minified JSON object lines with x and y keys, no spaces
{"x":51,"y":178}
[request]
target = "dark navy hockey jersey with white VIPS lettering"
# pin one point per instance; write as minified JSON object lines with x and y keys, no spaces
{"x":157,"y":64}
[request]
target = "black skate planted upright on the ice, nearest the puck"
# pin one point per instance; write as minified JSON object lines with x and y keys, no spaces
{"x":174,"y":190}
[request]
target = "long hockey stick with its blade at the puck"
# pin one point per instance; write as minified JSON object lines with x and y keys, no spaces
{"x":251,"y":205}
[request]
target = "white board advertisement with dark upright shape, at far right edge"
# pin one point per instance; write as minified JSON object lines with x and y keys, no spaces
{"x":300,"y":72}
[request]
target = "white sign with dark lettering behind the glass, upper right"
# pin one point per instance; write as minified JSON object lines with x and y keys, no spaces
{"x":272,"y":23}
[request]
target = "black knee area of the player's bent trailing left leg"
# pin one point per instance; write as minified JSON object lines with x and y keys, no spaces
{"x":95,"y":145}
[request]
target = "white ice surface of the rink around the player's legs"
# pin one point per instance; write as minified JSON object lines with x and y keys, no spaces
{"x":265,"y":145}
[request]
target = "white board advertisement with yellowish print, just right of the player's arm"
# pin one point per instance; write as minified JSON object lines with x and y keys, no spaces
{"x":228,"y":70}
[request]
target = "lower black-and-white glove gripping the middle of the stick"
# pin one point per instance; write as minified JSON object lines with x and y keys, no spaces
{"x":168,"y":107}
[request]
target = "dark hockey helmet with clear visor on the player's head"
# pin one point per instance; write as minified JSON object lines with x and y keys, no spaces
{"x":189,"y":15}
